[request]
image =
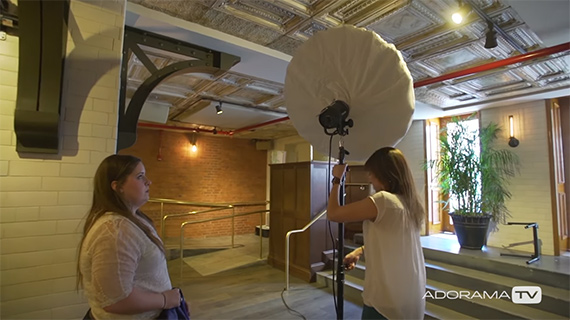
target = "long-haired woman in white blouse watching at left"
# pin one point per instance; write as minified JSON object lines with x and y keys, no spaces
{"x":122,"y":266}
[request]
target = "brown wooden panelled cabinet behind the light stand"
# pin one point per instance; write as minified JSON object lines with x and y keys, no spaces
{"x":298,"y":193}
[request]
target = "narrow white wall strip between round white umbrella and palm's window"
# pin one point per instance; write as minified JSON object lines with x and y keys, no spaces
{"x":412,"y":145}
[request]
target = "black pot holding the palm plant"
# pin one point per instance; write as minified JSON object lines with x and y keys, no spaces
{"x":471,"y":231}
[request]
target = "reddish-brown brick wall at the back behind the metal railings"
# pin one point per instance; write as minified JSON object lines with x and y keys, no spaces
{"x":223,"y":170}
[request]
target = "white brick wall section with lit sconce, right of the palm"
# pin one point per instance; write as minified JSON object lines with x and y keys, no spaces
{"x":531,"y":189}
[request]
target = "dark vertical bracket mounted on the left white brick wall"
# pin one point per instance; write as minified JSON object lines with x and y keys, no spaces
{"x":42,"y":45}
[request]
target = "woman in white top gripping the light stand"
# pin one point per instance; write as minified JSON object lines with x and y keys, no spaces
{"x":395,"y":278}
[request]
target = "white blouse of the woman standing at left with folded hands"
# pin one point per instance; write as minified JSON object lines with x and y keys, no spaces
{"x":117,"y":256}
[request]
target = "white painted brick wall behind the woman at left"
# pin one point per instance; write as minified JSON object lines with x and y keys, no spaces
{"x":43,"y":198}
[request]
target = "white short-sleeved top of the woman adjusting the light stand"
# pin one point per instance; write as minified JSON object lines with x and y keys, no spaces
{"x":395,"y":277}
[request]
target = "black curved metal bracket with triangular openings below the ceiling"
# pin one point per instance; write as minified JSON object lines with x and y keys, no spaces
{"x":200,"y":59}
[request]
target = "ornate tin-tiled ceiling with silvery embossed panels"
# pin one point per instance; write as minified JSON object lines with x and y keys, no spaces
{"x":422,"y":30}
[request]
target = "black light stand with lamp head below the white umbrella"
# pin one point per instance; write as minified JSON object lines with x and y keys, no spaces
{"x":334,"y":117}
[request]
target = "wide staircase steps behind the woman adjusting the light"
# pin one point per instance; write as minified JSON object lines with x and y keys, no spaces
{"x":455,"y":283}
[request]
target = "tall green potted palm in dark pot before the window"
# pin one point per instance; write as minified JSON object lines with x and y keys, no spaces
{"x":475,"y":176}
